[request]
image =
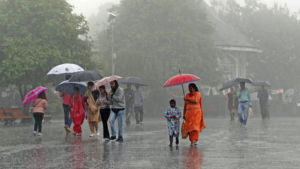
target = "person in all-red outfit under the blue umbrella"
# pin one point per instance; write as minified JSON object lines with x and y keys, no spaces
{"x":77,"y":105}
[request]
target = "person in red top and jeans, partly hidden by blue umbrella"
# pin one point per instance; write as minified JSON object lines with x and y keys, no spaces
{"x":66,"y":108}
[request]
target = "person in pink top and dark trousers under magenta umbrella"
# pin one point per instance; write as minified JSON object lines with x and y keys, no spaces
{"x":39,"y":105}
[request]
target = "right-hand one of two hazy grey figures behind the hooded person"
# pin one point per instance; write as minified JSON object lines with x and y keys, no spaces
{"x":138,"y":105}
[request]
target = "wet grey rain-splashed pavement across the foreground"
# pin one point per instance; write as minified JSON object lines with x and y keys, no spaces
{"x":223,"y":144}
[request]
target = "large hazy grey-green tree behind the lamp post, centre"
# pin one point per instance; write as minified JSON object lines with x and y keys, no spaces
{"x":154,"y":39}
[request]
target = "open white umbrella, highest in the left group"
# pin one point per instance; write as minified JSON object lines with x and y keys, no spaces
{"x":66,"y":68}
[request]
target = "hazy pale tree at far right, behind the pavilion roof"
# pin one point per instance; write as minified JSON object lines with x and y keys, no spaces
{"x":276,"y":31}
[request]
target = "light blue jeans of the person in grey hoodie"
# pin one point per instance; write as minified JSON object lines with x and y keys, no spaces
{"x":114,"y":116}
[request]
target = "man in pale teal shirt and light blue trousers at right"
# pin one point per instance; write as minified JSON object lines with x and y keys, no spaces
{"x":244,"y":98}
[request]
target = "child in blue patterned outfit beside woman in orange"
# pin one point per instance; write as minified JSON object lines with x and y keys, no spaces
{"x":173,"y":115}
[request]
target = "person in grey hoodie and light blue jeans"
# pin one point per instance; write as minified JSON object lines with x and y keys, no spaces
{"x":117,"y":99}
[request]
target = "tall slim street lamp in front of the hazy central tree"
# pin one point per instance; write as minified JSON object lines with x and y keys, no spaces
{"x":110,"y":19}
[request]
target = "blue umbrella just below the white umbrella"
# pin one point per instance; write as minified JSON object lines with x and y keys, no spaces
{"x":68,"y":87}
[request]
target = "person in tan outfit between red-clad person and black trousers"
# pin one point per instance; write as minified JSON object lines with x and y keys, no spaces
{"x":93,"y":113}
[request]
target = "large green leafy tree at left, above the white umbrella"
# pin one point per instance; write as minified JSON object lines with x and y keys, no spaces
{"x":36,"y":35}
